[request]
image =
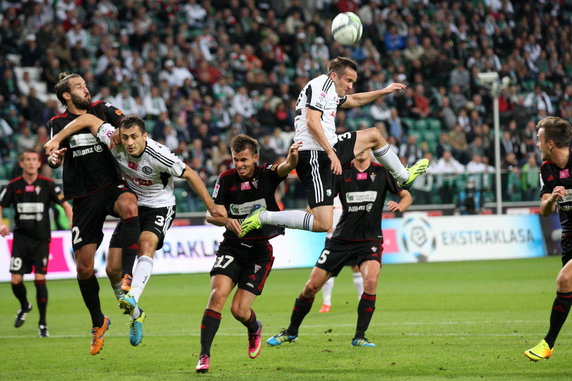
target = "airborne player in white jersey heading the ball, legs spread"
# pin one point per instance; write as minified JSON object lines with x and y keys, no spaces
{"x":323,"y":153}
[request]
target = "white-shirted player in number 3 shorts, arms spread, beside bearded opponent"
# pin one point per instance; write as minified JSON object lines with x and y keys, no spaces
{"x":149,"y":168}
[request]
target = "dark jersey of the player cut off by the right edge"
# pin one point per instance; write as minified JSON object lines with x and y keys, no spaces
{"x":552,"y":176}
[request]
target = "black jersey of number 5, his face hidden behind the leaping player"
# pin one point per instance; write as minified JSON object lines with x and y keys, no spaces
{"x":362,"y":195}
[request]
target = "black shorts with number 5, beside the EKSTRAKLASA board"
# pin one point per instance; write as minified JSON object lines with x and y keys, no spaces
{"x":337,"y":254}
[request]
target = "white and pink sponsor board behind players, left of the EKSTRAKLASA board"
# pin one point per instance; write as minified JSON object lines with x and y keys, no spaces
{"x":186,"y":249}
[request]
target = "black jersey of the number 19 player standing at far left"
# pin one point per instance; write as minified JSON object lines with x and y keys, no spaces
{"x":32,"y":204}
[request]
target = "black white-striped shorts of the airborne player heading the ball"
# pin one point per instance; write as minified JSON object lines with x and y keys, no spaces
{"x":315,"y":173}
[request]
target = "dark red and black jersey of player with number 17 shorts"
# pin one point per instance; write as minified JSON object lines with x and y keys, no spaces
{"x":240,"y":196}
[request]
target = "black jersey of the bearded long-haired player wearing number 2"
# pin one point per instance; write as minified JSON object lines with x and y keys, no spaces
{"x":88,"y":164}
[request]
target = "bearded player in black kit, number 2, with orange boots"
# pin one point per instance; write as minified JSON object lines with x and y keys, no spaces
{"x":92,"y":180}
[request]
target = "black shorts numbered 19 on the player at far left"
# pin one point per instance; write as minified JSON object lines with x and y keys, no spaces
{"x":28,"y":252}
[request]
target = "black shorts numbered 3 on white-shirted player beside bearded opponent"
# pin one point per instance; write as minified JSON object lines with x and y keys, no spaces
{"x":154,"y":220}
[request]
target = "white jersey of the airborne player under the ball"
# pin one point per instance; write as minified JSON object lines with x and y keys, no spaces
{"x":318,"y":94}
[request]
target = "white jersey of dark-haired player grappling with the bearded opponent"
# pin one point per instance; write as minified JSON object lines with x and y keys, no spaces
{"x":150,"y":175}
